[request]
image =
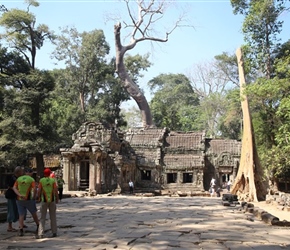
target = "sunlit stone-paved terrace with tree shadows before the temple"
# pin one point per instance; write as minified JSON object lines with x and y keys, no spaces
{"x":148,"y":223}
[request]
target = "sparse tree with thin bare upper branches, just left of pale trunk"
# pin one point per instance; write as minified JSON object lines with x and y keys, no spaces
{"x":212,"y":81}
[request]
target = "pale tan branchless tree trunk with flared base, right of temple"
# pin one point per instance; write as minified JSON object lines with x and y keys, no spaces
{"x":248,"y":184}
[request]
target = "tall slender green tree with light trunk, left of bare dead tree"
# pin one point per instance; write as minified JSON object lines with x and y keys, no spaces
{"x":84,"y":55}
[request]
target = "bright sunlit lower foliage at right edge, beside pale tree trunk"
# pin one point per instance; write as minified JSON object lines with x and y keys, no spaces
{"x":270,"y":110}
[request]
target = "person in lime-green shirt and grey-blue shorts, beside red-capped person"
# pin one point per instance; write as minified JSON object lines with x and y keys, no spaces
{"x":24,"y":187}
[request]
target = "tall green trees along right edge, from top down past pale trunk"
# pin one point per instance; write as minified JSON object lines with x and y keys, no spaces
{"x":268,"y":95}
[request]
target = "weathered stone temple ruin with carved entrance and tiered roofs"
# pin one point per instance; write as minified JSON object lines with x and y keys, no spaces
{"x":104,"y":159}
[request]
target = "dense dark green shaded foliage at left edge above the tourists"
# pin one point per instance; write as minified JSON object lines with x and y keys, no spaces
{"x":23,"y":130}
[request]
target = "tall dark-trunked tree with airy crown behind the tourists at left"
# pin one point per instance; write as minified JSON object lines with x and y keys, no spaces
{"x":23,"y":36}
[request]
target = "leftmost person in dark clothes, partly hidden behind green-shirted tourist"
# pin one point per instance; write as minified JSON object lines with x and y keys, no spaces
{"x":10,"y":195}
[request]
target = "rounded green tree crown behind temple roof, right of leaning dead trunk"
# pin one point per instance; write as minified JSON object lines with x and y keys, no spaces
{"x":174,"y":102}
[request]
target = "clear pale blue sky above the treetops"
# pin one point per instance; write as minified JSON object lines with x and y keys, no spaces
{"x":216,"y":30}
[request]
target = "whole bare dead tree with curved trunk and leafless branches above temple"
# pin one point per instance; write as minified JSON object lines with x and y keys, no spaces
{"x":149,"y":12}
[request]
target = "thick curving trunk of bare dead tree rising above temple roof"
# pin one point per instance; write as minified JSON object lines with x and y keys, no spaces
{"x":127,"y":81}
